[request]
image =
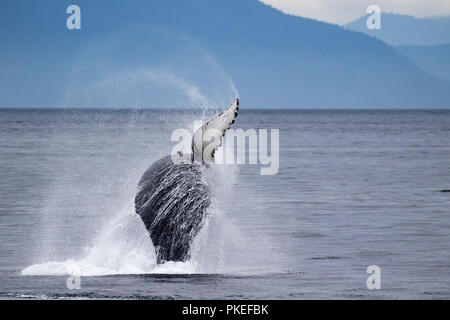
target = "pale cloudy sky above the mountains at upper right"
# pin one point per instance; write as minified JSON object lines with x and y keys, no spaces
{"x":343,"y":11}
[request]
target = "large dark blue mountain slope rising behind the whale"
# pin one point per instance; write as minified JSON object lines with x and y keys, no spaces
{"x":274,"y":59}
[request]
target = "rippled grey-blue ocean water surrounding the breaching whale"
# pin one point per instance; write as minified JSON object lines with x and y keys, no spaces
{"x":354,"y":189}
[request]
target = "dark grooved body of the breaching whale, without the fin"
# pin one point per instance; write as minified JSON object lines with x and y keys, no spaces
{"x":172,"y":201}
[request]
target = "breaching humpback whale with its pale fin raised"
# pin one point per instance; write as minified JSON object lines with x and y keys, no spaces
{"x":172,"y":197}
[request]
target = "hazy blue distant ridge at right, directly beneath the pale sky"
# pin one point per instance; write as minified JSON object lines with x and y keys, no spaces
{"x":397,"y":29}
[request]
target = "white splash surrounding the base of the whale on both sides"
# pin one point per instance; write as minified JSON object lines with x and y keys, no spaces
{"x":123,"y":245}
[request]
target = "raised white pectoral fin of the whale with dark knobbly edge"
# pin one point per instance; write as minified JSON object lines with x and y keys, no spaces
{"x":208,"y":138}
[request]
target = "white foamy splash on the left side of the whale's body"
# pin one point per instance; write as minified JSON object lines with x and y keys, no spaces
{"x":122,"y":247}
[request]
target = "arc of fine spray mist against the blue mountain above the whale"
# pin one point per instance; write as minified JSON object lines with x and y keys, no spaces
{"x":148,"y":67}
